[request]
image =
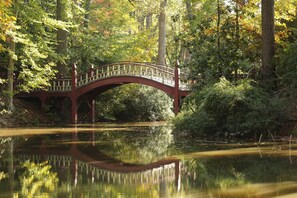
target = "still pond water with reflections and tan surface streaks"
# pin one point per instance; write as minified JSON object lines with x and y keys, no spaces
{"x":140,"y":160}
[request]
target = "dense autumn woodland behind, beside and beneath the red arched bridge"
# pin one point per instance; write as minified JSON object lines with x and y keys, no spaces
{"x":240,"y":54}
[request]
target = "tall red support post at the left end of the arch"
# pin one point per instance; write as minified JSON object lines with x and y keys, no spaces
{"x":73,"y":96}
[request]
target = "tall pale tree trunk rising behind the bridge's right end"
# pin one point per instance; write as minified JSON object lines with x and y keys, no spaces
{"x":162,"y":33}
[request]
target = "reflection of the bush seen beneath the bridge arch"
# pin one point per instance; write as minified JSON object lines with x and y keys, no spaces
{"x":137,"y":147}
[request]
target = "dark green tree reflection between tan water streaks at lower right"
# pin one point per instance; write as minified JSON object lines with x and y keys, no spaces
{"x":221,"y":173}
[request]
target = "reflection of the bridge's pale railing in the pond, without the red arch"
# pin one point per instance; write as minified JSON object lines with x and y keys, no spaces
{"x":158,"y":172}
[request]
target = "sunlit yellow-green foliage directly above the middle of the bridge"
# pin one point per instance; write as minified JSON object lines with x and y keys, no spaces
{"x":110,"y":35}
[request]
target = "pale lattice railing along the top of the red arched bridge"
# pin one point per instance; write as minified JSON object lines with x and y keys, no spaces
{"x":159,"y":73}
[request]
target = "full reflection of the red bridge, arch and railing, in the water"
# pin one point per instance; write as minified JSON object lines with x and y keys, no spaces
{"x":99,"y":167}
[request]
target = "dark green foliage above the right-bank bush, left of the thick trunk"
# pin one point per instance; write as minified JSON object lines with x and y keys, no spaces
{"x":218,"y":50}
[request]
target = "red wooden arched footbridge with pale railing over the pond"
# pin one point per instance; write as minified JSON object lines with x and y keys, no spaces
{"x":86,"y":86}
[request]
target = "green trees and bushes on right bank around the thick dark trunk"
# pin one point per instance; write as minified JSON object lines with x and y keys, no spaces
{"x":231,"y":48}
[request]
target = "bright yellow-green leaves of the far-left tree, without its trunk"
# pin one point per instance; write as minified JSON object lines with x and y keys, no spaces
{"x":35,"y":38}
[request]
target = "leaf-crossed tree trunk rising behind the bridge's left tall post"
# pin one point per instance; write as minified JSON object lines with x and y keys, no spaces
{"x":61,"y":37}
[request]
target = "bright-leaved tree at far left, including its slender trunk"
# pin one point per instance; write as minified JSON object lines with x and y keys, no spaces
{"x":29,"y":47}
